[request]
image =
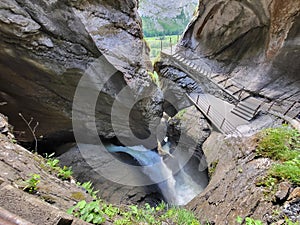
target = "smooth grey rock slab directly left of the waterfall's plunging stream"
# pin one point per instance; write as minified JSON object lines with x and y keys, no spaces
{"x":87,"y":167}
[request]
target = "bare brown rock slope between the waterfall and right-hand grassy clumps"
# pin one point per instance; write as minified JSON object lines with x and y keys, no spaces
{"x":233,"y":191}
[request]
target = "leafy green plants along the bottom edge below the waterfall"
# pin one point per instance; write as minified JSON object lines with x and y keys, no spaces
{"x":97,"y":212}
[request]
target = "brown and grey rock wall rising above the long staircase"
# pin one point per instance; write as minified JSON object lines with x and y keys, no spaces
{"x":255,"y":42}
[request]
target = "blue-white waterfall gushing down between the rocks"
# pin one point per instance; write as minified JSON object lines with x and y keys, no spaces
{"x":177,"y":189}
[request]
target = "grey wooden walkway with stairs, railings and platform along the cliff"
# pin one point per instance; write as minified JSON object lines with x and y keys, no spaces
{"x":247,"y":108}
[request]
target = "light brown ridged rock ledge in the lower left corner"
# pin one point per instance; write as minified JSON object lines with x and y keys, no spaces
{"x":53,"y":197}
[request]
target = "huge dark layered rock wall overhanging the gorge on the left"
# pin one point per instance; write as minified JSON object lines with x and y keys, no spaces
{"x":46,"y":46}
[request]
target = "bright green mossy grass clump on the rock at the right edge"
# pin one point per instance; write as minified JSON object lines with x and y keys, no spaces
{"x":281,"y":144}
